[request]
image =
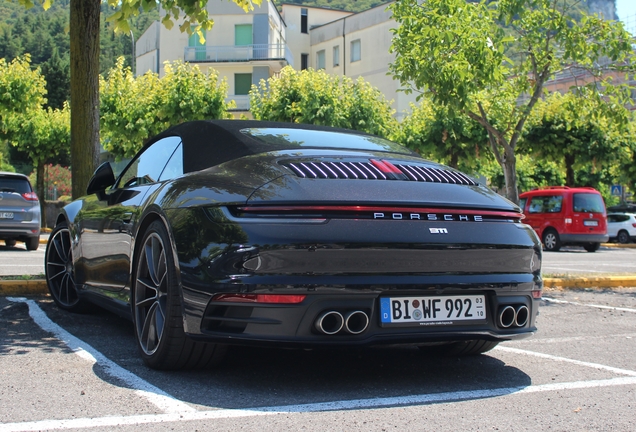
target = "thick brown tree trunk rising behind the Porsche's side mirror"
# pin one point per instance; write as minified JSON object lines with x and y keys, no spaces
{"x":84,"y":27}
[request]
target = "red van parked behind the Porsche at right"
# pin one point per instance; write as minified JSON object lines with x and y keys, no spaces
{"x":566,"y":216}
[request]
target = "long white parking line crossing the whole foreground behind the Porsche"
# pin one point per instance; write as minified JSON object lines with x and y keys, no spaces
{"x":86,"y":423}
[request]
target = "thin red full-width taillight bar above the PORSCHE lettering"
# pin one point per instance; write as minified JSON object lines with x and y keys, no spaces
{"x":358,"y":209}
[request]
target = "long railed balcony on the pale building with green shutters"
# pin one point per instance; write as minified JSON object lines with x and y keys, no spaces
{"x":242,"y":53}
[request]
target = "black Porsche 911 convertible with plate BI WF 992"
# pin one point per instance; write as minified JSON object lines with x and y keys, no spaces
{"x":247,"y":232}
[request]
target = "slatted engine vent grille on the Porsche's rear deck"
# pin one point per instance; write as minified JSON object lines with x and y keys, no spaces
{"x":369,"y":171}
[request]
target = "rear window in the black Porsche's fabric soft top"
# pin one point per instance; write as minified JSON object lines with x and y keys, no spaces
{"x":301,"y":138}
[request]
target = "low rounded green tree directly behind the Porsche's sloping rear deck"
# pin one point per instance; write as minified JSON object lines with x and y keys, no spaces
{"x":437,"y":133}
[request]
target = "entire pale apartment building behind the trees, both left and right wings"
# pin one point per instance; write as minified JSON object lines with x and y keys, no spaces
{"x":247,"y":47}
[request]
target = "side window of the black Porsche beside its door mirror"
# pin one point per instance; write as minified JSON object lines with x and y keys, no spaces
{"x":147,"y":167}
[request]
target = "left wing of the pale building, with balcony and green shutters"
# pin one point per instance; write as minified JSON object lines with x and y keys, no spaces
{"x":243,"y":47}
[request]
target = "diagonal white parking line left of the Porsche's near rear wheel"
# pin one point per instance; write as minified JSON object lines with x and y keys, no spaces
{"x":156,"y":396}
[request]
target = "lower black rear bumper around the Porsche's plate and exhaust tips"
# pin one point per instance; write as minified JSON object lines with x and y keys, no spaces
{"x":296,"y":325}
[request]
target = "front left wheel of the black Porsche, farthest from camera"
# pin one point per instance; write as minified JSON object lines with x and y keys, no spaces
{"x":60,"y":270}
